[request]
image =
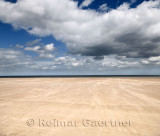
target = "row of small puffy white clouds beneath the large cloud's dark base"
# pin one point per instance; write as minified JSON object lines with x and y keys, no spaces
{"x":107,"y":63}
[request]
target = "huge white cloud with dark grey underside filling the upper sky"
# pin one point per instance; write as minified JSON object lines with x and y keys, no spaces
{"x":125,"y":31}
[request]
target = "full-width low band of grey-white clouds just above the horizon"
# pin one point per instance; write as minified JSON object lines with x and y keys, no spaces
{"x":16,"y":61}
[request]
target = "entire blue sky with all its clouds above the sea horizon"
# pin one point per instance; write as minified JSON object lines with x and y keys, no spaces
{"x":79,"y":37}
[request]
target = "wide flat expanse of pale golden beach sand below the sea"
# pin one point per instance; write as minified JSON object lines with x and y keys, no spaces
{"x":87,"y":106}
